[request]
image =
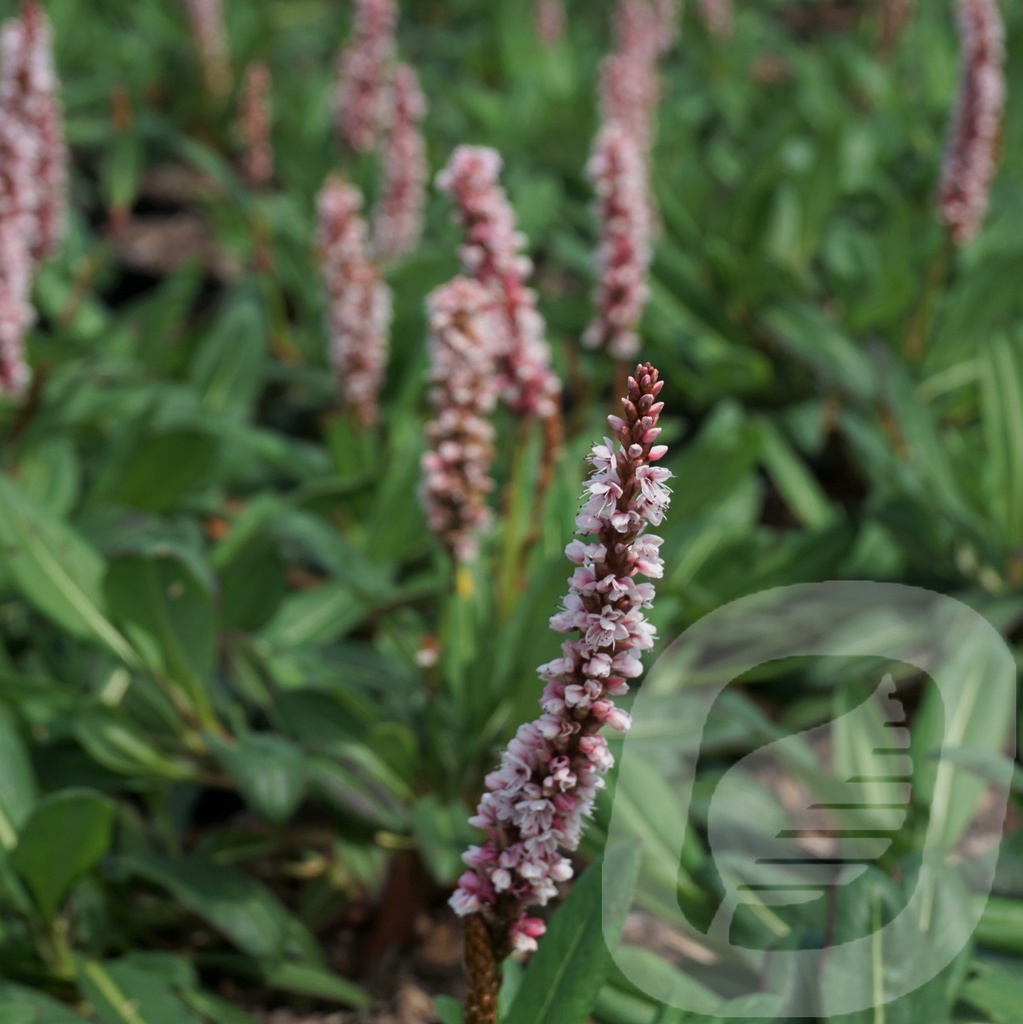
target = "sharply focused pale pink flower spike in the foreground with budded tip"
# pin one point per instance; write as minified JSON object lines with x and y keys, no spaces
{"x":539,"y":798}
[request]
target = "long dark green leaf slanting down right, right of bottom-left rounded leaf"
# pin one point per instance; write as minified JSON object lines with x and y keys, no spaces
{"x":239,"y":908}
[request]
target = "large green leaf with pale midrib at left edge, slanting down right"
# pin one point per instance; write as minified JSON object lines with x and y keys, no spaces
{"x":56,"y":571}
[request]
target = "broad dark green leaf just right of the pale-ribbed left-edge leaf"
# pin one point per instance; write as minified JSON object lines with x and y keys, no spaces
{"x":168,"y":611}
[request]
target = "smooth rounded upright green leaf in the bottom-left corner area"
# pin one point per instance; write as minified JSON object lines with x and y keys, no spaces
{"x":47,"y":858}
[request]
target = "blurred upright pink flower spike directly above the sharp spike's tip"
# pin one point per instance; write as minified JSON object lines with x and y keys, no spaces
{"x":618,"y":173}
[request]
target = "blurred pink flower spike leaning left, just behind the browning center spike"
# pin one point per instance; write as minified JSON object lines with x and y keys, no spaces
{"x":493,"y":255}
